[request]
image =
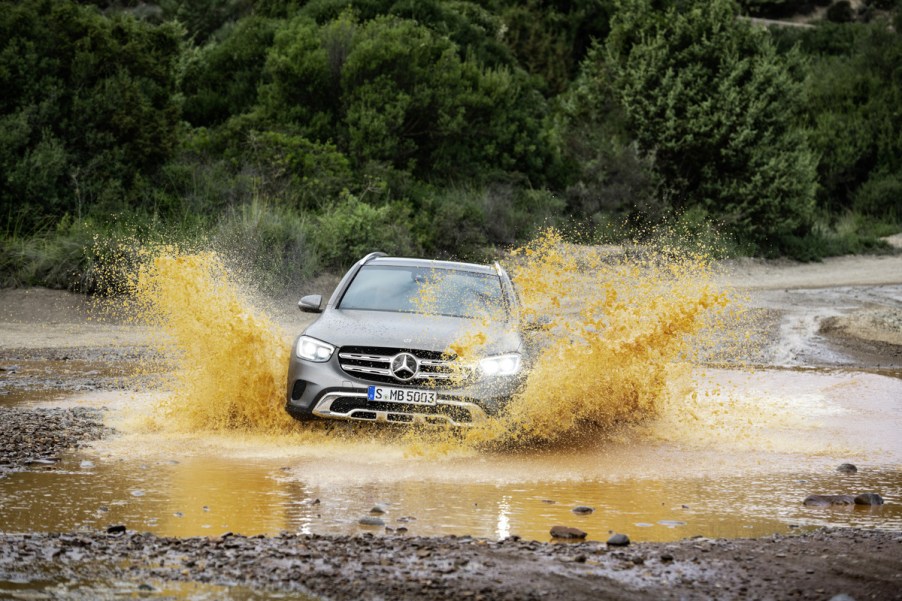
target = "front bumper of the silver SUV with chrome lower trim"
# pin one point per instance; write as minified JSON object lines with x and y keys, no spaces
{"x":325,"y":391}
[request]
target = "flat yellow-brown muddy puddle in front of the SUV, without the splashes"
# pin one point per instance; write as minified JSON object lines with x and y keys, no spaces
{"x":759,"y":444}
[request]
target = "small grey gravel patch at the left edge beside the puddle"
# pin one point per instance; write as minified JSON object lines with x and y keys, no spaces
{"x":35,"y":438}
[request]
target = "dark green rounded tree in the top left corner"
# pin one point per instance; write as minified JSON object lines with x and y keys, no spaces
{"x":87,"y":110}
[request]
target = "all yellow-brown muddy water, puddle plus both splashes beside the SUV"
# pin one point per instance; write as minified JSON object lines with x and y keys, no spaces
{"x":636,"y":427}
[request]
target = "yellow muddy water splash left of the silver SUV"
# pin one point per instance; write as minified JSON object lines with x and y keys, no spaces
{"x":231,"y":362}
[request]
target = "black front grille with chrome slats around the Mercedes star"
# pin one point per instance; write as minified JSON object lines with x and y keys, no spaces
{"x":373,"y":364}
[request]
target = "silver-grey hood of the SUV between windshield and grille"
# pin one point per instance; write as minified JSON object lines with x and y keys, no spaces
{"x":408,"y":330}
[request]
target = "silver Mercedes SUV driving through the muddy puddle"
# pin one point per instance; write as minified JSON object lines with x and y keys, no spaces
{"x":382,"y":348}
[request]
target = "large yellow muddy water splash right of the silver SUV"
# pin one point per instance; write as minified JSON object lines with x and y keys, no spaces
{"x":620,"y":332}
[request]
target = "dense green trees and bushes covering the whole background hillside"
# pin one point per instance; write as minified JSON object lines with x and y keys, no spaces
{"x":300,"y":134}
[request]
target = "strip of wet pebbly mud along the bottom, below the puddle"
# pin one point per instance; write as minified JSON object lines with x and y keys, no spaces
{"x":816,"y":565}
